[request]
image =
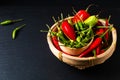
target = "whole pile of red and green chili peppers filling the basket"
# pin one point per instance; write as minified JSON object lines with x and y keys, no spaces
{"x":77,"y":32}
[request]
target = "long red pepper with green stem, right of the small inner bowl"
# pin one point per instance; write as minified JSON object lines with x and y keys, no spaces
{"x":94,"y":45}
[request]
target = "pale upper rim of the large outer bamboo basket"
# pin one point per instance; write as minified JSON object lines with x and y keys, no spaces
{"x":114,"y":37}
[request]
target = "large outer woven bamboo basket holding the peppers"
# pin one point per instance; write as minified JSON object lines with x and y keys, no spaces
{"x":85,"y":62}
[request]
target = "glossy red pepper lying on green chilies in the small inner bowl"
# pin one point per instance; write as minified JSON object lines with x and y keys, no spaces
{"x":68,"y":30}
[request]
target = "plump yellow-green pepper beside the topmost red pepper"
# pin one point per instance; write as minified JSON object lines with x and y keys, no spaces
{"x":91,"y":21}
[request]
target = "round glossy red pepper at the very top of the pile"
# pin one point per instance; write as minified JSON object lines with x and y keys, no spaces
{"x":80,"y":16}
